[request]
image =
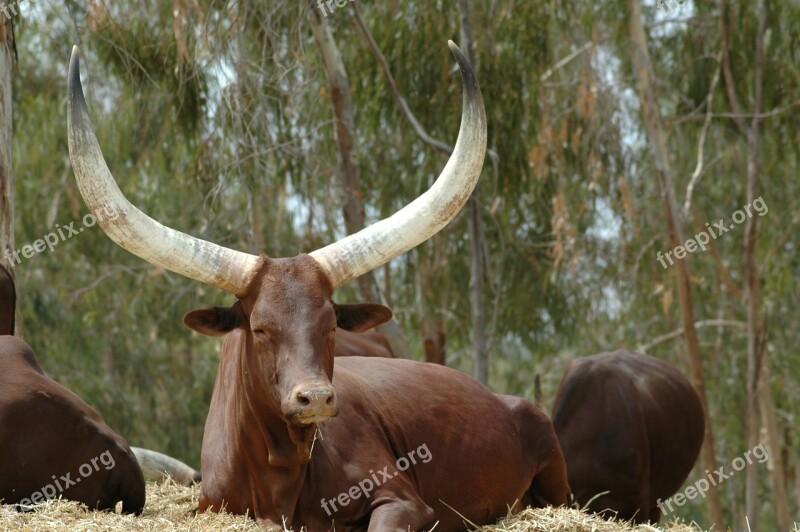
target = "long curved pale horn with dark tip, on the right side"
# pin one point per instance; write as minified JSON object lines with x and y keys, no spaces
{"x":415,"y":223}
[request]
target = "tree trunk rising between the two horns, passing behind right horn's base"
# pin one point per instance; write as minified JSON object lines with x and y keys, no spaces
{"x":349,"y":177}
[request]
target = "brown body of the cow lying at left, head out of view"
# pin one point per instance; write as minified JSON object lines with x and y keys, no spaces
{"x":51,"y":442}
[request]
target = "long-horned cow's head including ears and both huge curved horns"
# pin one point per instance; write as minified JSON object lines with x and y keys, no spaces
{"x":284,"y":308}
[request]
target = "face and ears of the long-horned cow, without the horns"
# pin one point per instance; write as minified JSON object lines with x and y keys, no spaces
{"x":289,"y":320}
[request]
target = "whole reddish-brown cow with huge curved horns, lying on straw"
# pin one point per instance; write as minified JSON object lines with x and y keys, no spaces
{"x":277,"y":393}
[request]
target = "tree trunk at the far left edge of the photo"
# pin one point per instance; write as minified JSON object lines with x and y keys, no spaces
{"x":7,"y":56}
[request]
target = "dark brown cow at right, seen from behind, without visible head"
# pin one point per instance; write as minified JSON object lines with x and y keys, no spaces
{"x":630,"y":425}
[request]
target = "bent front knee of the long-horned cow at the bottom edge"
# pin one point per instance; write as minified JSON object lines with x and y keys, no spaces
{"x":396,"y":512}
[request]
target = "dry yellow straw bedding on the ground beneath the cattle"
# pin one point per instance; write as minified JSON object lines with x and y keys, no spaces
{"x":171,"y":507}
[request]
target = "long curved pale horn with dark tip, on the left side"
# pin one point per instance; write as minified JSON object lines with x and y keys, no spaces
{"x":132,"y":229}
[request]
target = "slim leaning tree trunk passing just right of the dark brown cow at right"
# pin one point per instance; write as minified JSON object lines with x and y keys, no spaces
{"x":645,"y":82}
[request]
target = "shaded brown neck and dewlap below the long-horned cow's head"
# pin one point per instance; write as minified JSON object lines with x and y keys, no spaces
{"x":274,"y":454}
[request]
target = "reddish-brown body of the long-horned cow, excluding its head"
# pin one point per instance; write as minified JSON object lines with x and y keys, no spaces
{"x":255,"y":466}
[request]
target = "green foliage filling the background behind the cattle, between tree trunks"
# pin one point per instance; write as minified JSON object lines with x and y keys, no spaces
{"x":215,"y":119}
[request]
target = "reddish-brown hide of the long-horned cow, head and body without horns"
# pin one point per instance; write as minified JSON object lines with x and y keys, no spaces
{"x":488,"y":451}
